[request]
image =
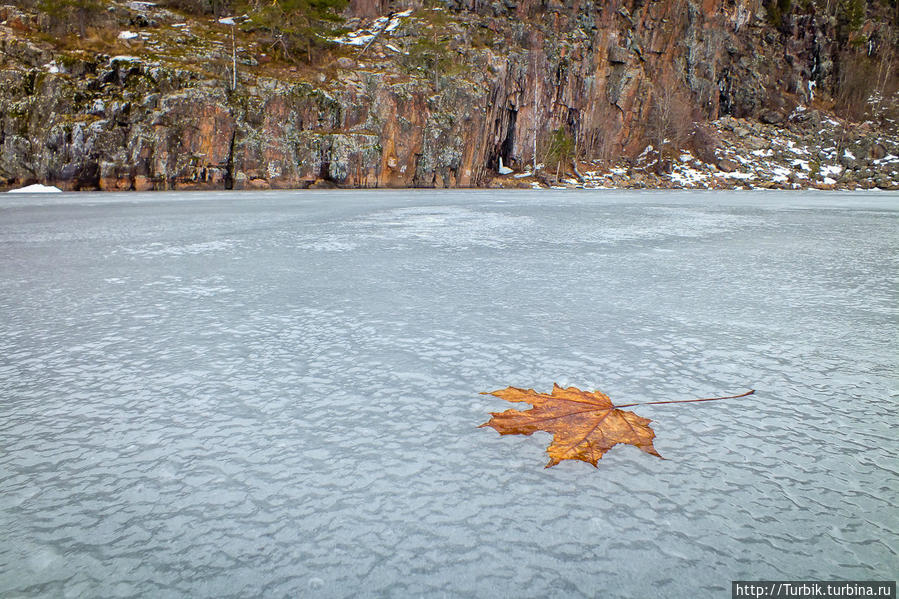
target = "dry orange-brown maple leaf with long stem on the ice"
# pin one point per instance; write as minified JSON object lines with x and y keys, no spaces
{"x":584,"y":424}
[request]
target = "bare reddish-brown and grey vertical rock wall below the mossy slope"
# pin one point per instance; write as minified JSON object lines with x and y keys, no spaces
{"x":594,"y":69}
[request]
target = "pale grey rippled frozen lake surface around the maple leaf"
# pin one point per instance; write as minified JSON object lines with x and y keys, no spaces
{"x":239,"y":395}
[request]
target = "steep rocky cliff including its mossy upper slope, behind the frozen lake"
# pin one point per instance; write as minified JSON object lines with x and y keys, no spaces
{"x":427,"y":96}
